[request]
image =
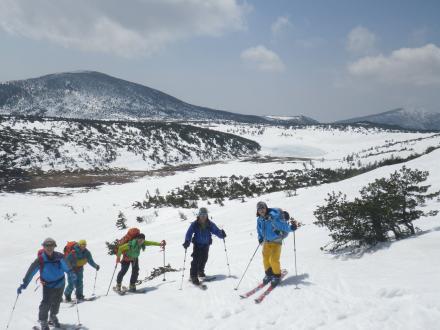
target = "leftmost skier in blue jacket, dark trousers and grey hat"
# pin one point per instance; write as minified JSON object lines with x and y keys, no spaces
{"x":52,"y":267}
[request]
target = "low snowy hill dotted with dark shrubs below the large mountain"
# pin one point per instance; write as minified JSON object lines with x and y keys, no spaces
{"x":41,"y":145}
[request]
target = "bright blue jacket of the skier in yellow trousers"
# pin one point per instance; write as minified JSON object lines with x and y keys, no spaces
{"x":272,"y":228}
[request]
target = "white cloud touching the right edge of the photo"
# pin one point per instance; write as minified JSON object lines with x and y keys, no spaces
{"x":415,"y":66}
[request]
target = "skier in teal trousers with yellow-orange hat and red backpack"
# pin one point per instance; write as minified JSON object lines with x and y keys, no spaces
{"x":77,"y":255}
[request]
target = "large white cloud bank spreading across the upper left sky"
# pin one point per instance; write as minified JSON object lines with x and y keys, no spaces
{"x":124,"y":28}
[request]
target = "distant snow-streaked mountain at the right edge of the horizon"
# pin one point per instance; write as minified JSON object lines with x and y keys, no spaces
{"x":405,"y":118}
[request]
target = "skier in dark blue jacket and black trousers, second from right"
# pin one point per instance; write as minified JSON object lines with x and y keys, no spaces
{"x":200,"y":234}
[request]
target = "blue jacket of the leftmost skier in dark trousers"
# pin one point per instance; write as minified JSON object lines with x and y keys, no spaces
{"x":52,"y":274}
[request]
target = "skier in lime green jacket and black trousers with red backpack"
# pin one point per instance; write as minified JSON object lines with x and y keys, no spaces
{"x":130,"y":248}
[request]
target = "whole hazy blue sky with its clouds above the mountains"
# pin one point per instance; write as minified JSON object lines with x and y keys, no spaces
{"x":325,"y":59}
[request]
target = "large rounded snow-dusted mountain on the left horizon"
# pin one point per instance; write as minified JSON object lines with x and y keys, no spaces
{"x":94,"y":95}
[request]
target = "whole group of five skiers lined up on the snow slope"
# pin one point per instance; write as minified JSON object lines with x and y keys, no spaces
{"x":273,"y":226}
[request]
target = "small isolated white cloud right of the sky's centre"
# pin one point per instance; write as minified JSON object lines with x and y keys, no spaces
{"x":263,"y":59}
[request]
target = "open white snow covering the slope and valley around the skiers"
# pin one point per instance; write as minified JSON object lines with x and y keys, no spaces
{"x":393,"y":286}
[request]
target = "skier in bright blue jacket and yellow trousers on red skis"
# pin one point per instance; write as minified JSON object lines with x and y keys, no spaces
{"x":272,"y":228}
